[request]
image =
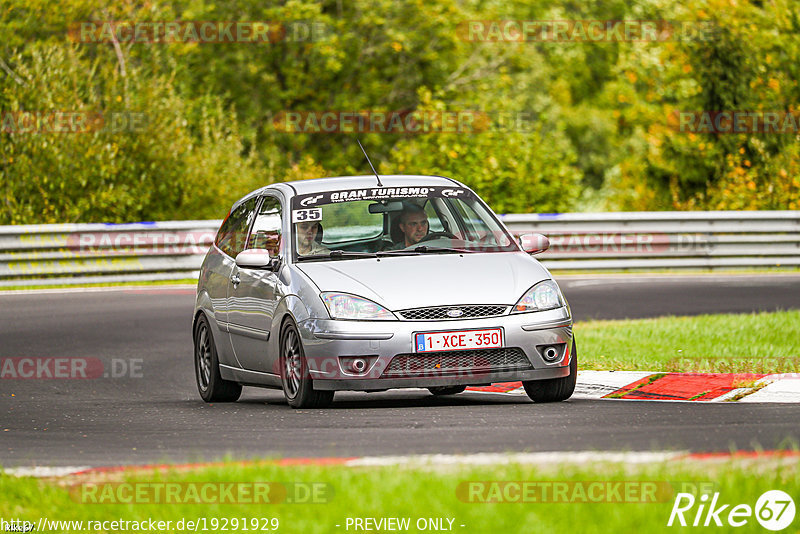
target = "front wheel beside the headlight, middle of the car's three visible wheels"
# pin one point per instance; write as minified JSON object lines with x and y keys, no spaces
{"x":298,"y":387}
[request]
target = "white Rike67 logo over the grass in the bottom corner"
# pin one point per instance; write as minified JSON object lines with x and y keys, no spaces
{"x":774,"y":510}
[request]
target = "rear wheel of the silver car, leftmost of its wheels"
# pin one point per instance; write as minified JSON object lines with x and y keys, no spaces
{"x":210,"y":384}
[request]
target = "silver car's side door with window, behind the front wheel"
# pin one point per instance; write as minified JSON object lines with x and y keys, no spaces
{"x":254,"y":293}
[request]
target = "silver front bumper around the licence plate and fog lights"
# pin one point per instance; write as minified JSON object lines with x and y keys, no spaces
{"x":326,"y":340}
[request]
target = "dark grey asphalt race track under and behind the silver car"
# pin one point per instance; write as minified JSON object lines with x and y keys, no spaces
{"x":154,"y":413}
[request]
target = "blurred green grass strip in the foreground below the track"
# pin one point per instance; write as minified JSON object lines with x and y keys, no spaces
{"x":595,"y":498}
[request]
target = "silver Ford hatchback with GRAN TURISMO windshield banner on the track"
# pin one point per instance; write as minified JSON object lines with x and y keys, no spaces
{"x":366,"y":283}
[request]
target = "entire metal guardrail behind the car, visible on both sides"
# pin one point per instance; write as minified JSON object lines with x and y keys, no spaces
{"x":88,"y":253}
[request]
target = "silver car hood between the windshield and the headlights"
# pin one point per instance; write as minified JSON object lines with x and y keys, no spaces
{"x":404,"y":282}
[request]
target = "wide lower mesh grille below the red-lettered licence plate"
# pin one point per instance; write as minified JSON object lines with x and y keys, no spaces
{"x":459,"y":362}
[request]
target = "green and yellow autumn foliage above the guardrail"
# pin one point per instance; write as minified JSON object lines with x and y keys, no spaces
{"x":603,"y":141}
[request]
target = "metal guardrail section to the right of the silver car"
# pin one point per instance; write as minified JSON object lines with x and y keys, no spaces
{"x":665,"y":240}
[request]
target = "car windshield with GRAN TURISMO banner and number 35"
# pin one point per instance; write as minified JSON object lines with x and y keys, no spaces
{"x":394,"y":221}
